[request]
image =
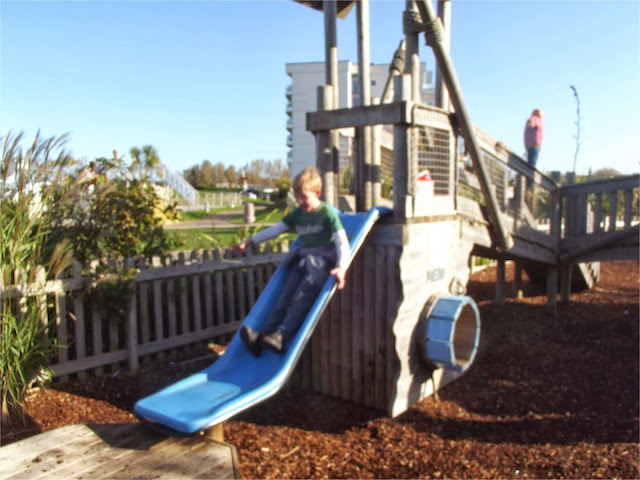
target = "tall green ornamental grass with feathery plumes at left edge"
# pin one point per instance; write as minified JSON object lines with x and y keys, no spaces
{"x":28,"y":180}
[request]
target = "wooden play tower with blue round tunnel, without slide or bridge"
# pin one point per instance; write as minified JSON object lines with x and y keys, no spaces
{"x":377,"y":343}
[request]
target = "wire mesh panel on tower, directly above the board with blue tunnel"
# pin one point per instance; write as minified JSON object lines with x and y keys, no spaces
{"x":434,"y":146}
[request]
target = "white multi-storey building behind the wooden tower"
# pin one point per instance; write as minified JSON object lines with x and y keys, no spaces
{"x":302,"y":98}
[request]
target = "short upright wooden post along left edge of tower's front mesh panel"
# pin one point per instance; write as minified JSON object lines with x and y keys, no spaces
{"x":402,"y":186}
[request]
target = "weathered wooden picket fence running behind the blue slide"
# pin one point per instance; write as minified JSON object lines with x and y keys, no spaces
{"x":181,"y":299}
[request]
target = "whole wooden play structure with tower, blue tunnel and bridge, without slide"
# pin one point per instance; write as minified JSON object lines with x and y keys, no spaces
{"x":403,"y":327}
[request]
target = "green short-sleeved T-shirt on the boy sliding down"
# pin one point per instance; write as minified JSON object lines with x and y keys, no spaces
{"x":315,"y":229}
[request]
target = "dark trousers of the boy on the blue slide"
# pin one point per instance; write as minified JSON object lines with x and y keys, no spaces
{"x":296,"y":299}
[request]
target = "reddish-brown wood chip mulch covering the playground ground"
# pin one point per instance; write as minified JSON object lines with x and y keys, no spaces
{"x":549,"y":396}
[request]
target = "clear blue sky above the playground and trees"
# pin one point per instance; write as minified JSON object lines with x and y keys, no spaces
{"x":206,"y":79}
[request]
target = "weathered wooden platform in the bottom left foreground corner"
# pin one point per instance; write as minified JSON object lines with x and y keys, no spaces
{"x":127,"y":450}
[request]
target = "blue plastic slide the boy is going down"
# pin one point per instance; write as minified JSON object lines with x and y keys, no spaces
{"x":238,"y":380}
